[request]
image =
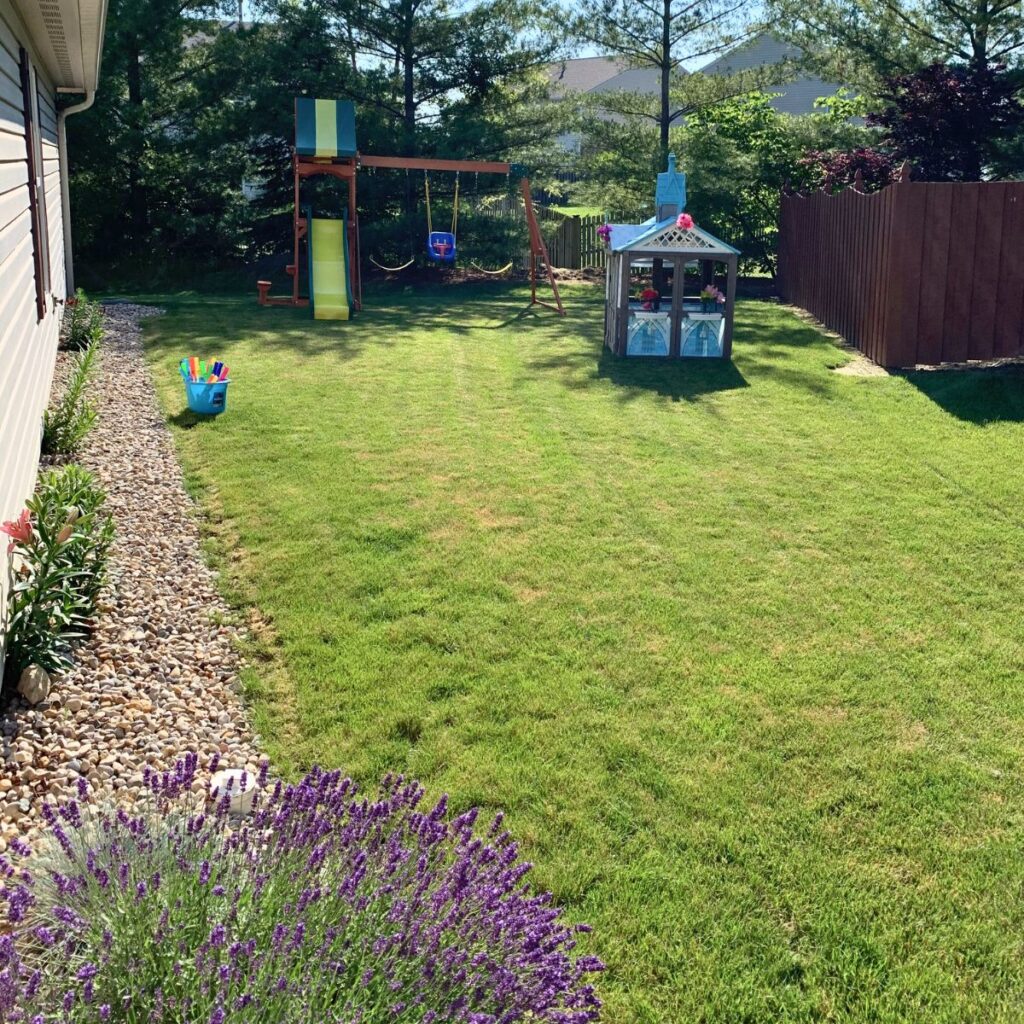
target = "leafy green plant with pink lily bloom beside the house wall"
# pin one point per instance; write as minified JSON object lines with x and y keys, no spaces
{"x":63,"y":541}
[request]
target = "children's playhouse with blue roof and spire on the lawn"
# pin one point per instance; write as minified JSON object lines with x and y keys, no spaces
{"x":647,"y":310}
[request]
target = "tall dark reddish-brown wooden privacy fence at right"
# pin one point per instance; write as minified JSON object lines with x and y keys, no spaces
{"x":919,"y":273}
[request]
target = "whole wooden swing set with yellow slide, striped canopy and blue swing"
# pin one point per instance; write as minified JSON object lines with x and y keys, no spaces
{"x":325,"y":144}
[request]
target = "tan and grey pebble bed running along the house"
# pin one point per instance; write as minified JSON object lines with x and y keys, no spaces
{"x":159,"y":676}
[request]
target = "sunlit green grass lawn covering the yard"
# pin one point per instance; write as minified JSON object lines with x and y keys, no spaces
{"x":739,"y":648}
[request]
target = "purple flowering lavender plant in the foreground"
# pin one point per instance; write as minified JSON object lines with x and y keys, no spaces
{"x":322,"y":907}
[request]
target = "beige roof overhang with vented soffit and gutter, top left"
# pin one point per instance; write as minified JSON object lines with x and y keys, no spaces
{"x":69,"y":38}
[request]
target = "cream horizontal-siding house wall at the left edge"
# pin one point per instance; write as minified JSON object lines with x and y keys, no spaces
{"x":28,"y":346}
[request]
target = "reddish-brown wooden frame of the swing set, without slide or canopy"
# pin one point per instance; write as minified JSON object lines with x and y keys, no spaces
{"x":346,"y":168}
